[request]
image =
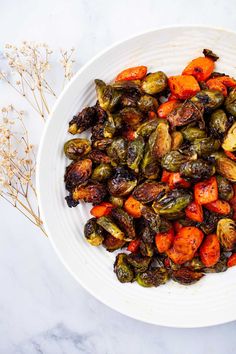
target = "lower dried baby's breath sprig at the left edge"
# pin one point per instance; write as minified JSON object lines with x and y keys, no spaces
{"x":17,"y":165}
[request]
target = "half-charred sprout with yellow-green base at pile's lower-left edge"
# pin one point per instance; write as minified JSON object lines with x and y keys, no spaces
{"x":93,"y":233}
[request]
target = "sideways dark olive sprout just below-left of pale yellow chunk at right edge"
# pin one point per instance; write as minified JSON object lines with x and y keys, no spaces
{"x":205,"y":146}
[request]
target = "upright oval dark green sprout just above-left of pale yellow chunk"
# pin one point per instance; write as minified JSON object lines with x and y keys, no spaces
{"x":218,"y":123}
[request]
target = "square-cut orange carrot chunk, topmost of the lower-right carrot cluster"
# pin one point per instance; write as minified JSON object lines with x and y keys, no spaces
{"x":206,"y":192}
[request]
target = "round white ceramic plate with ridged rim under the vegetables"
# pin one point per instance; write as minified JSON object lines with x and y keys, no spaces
{"x":212,"y":300}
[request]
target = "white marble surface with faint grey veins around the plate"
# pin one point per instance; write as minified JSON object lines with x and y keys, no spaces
{"x":42,"y":308}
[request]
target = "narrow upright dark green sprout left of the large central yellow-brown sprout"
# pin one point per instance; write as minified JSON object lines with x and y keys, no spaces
{"x":135,"y":153}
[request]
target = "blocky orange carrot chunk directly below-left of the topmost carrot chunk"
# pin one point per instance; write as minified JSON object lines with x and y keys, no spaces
{"x":183,"y":86}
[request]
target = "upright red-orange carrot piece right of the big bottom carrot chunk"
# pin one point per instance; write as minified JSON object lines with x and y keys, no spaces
{"x":210,"y":250}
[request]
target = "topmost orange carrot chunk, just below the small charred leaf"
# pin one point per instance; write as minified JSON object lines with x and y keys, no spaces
{"x":201,"y":68}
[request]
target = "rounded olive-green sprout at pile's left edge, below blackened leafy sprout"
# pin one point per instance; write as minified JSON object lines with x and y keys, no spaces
{"x":76,"y":148}
